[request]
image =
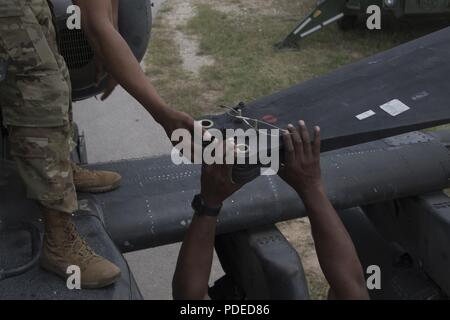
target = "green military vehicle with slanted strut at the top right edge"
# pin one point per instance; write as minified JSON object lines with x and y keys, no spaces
{"x":347,"y":12}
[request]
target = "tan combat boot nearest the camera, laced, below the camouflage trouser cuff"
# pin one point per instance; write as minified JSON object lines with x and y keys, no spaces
{"x":63,"y":247}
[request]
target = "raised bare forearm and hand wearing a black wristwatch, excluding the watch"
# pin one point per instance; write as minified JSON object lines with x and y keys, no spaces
{"x":193,"y":269}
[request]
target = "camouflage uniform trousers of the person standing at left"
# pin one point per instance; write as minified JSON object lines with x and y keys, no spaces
{"x":35,"y":100}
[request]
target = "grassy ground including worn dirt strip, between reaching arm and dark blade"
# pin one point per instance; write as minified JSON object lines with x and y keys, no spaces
{"x":247,"y":64}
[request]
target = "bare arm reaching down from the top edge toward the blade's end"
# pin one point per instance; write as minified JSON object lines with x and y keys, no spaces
{"x":97,"y":18}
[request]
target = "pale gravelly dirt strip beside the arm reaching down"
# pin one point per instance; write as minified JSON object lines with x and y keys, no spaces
{"x":173,"y":63}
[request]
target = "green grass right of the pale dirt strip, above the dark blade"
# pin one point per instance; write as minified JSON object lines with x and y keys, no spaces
{"x":247,"y":65}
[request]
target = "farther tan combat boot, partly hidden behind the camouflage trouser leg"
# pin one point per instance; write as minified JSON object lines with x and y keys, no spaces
{"x":94,"y":181}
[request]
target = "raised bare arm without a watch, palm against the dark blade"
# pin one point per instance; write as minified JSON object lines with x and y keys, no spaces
{"x":335,"y":250}
